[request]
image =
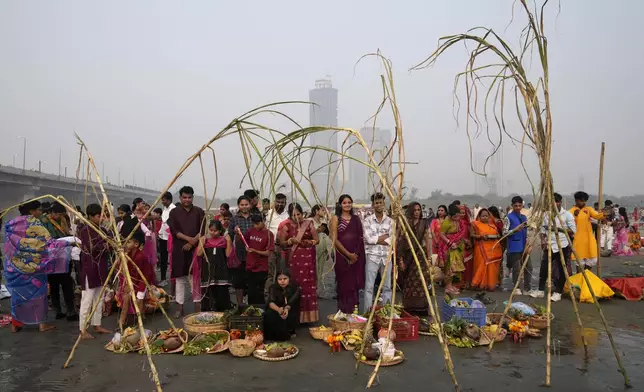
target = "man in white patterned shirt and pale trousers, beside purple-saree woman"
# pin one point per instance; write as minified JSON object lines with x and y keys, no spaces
{"x":377,"y":238}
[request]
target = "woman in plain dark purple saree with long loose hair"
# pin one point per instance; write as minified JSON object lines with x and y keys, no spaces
{"x":347,"y":236}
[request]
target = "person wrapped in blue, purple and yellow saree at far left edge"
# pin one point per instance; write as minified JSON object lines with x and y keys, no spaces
{"x":30,"y":255}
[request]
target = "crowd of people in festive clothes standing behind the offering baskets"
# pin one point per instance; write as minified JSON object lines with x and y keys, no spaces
{"x":275,"y":254}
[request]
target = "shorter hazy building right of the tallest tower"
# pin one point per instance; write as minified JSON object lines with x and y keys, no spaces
{"x":363,"y":181}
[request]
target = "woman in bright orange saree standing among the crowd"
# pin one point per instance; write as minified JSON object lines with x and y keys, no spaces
{"x":488,"y":252}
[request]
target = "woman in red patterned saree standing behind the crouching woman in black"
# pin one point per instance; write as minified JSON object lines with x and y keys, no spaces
{"x":298,"y":239}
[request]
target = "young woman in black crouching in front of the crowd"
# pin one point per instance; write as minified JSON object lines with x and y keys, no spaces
{"x":282,"y":312}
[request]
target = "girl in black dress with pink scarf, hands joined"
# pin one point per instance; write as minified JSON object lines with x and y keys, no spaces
{"x":214,"y":270}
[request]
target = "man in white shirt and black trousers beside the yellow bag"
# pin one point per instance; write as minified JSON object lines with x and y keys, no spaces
{"x":564,"y":223}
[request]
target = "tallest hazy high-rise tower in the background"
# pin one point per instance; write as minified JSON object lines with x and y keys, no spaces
{"x":324,"y":112}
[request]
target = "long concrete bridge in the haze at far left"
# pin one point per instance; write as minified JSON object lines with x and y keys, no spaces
{"x":17,"y":185}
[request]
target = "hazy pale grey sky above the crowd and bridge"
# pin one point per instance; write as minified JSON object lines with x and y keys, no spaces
{"x":146,"y":83}
